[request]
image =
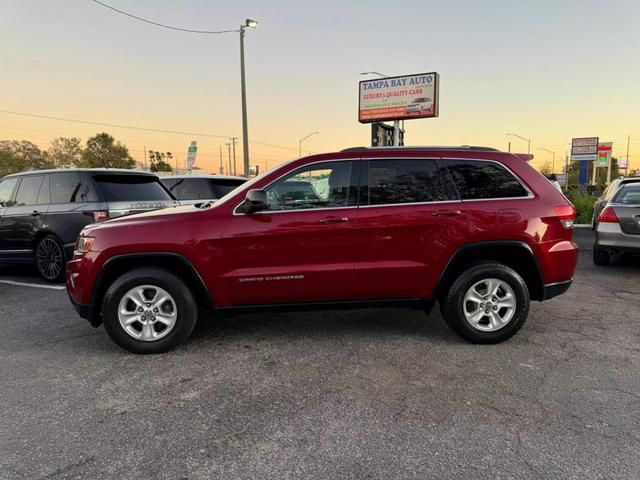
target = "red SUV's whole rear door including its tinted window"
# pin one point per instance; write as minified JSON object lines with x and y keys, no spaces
{"x":408,"y":231}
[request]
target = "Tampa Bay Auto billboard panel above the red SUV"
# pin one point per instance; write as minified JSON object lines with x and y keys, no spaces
{"x":399,"y":98}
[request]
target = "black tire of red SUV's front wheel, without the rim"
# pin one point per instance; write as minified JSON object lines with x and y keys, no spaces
{"x":186,"y":310}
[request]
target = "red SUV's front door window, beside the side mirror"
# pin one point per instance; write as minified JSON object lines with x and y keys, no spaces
{"x":323,"y":185}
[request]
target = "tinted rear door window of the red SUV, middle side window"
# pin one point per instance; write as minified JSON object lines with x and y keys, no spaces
{"x":406,"y":181}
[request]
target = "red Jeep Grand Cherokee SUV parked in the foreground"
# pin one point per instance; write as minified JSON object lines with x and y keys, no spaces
{"x":476,"y":229}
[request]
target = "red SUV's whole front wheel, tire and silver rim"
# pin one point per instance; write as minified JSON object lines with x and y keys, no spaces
{"x":149,"y":310}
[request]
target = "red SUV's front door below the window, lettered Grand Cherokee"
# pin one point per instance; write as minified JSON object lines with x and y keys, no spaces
{"x":290,"y":257}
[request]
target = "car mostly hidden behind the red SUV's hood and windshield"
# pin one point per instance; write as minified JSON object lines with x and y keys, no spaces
{"x":194,"y":189}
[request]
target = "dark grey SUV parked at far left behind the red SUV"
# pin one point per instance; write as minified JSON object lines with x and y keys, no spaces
{"x":43,"y":211}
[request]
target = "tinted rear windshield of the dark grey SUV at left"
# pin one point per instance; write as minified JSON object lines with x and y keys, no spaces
{"x":130,"y":188}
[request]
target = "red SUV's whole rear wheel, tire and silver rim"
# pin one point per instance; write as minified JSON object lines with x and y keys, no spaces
{"x":488,"y":303}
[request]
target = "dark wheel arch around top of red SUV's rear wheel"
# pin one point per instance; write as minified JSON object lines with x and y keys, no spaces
{"x":515,"y":254}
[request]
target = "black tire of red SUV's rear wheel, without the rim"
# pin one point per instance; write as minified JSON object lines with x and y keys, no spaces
{"x":452,"y":307}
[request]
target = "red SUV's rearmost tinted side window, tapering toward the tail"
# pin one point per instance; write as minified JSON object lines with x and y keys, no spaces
{"x":478,"y":180}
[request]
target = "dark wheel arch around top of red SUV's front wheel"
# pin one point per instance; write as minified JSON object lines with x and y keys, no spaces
{"x":175,"y":263}
